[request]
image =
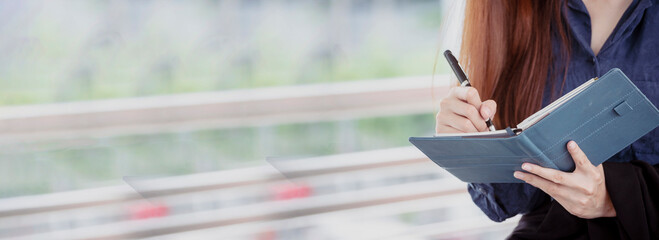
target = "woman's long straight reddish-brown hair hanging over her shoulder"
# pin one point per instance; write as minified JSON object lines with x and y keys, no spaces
{"x":507,"y":53}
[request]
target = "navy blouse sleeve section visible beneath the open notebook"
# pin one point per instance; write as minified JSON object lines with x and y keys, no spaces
{"x":500,"y":201}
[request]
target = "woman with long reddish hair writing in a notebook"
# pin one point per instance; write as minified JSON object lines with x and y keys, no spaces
{"x":521,"y":55}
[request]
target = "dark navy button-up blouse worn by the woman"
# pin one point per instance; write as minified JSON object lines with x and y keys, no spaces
{"x":633,"y":46}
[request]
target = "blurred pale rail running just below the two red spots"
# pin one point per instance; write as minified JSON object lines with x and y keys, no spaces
{"x":263,"y":211}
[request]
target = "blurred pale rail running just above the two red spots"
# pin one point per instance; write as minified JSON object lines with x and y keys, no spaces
{"x":211,"y":180}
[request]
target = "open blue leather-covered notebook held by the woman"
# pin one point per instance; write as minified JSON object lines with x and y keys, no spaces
{"x":603,"y":115}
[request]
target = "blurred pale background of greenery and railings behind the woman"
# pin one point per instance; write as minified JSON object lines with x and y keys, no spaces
{"x":226,"y":119}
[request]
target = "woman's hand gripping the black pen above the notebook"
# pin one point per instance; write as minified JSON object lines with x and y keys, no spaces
{"x":462,"y":111}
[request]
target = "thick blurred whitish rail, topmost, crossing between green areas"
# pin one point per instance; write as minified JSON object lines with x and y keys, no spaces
{"x":328,"y":101}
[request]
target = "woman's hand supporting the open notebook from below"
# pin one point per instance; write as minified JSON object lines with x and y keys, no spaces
{"x":582,"y":192}
